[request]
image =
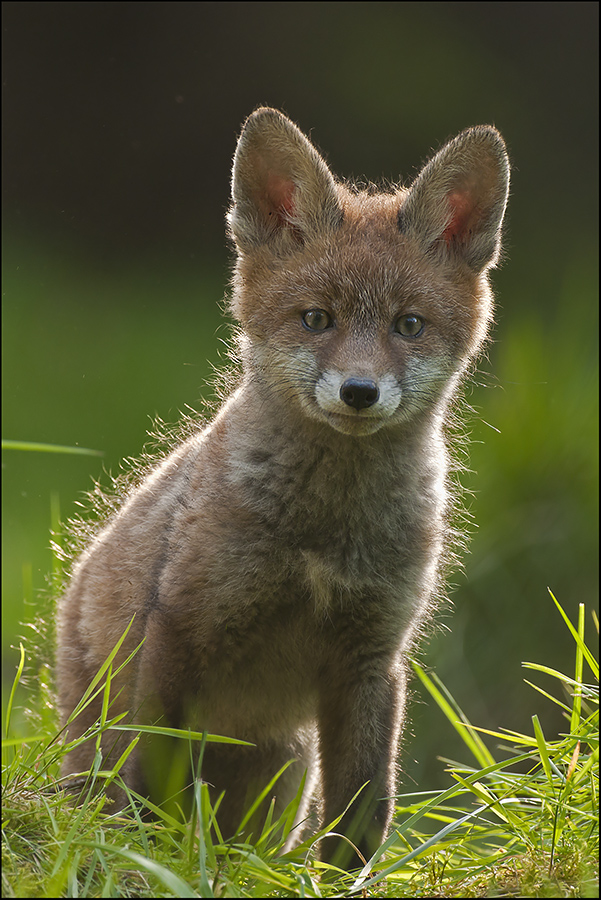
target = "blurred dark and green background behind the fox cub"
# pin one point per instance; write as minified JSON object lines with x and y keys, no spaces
{"x":120,"y":122}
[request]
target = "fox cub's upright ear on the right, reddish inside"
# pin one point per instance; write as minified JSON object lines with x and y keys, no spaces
{"x":455,"y":206}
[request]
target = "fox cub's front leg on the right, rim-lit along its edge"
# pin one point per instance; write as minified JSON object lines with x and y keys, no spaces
{"x":360,"y":717}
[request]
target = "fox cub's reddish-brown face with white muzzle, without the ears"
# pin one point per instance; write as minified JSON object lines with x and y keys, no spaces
{"x":360,"y":331}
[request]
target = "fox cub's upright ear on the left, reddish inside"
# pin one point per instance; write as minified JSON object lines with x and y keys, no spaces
{"x":282,"y":191}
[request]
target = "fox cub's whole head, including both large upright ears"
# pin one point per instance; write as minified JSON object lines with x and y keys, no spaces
{"x":362,"y":309}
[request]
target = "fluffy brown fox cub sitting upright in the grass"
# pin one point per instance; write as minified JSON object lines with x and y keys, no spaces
{"x":281,"y":561}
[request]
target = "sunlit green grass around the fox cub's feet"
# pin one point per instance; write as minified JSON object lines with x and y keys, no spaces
{"x":521,"y":823}
